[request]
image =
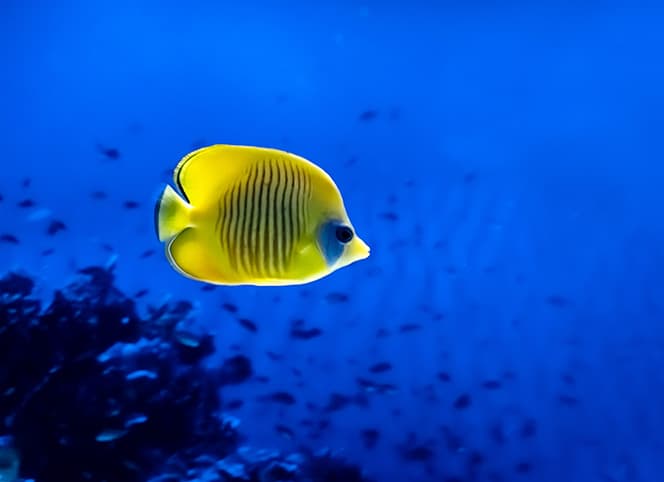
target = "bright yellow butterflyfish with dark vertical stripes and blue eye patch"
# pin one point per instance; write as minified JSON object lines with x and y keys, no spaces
{"x":254,"y":216}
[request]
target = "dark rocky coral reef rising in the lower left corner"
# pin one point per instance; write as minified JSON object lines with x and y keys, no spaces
{"x":90,"y":391}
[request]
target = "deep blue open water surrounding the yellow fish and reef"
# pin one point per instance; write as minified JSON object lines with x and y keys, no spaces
{"x":508,"y":180}
